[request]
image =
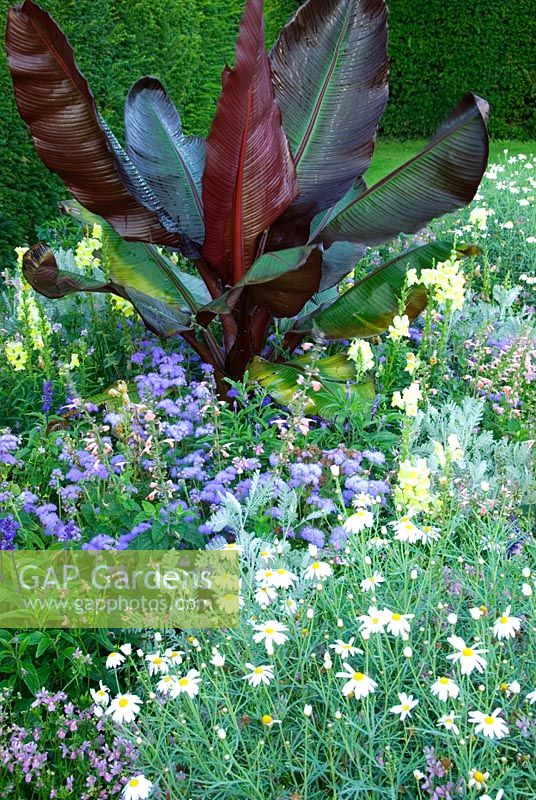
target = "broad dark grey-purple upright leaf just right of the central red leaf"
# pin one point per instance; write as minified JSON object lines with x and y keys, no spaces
{"x":330,"y":75}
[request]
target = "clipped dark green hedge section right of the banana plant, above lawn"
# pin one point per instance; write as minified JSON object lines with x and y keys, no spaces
{"x":440,"y":49}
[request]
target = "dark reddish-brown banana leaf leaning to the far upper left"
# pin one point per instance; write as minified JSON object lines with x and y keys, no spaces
{"x":56,"y":103}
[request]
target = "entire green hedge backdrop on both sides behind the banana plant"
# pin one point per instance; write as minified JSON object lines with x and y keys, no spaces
{"x":438,"y":50}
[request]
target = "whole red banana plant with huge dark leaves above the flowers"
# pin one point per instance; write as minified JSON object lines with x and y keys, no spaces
{"x":272,"y":210}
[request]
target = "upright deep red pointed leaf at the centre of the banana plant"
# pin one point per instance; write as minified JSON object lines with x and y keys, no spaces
{"x":249,"y":178}
